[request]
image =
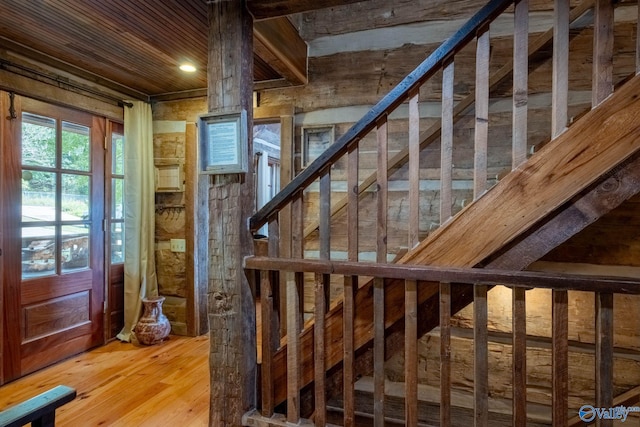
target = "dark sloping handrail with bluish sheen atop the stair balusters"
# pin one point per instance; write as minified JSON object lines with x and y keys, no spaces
{"x":387,"y":104}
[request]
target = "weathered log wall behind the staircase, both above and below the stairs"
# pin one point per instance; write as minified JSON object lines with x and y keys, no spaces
{"x":348,"y":74}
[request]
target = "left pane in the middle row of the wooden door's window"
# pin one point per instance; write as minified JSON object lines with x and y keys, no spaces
{"x":38,"y":196}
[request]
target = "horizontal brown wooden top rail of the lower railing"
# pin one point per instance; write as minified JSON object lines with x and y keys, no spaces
{"x":476,"y":276}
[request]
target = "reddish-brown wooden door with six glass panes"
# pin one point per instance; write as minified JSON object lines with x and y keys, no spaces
{"x":54,"y":238}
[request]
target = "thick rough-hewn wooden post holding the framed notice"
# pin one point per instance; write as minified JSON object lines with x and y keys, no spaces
{"x":231,"y":201}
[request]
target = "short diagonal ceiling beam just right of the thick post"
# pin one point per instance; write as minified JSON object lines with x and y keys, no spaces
{"x":278,"y":43}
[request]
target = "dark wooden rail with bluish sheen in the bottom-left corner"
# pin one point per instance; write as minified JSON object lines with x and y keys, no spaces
{"x":39,"y":410}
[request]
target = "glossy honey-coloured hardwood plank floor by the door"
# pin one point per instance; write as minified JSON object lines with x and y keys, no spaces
{"x":123,"y":384}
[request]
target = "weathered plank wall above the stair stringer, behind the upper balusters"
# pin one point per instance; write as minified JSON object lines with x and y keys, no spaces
{"x":339,"y":92}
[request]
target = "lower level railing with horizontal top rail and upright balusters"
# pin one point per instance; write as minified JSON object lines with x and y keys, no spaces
{"x":415,"y":277}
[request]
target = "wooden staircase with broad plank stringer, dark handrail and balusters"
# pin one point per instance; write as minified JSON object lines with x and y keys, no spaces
{"x":582,"y":174}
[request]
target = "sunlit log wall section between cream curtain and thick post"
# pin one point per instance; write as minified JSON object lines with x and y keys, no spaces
{"x":181,"y":275}
